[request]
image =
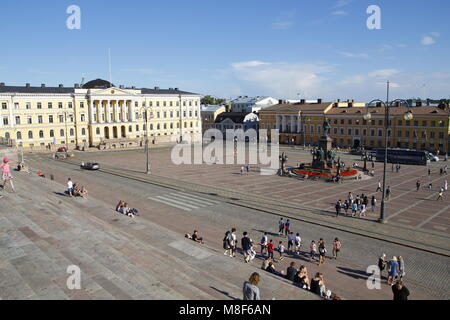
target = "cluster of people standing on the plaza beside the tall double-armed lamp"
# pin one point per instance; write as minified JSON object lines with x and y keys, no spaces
{"x":356,"y":204}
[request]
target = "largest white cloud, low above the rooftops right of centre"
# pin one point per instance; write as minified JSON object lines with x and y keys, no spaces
{"x":281,"y":78}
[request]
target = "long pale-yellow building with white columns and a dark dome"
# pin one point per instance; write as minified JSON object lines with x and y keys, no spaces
{"x":97,"y":114}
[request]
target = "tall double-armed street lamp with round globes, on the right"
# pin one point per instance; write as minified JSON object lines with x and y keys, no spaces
{"x":368,"y":116}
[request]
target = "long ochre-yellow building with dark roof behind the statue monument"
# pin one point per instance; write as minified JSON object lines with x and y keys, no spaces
{"x":301,"y":123}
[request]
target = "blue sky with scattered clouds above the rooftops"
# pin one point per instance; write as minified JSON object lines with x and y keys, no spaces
{"x":318,"y":49}
